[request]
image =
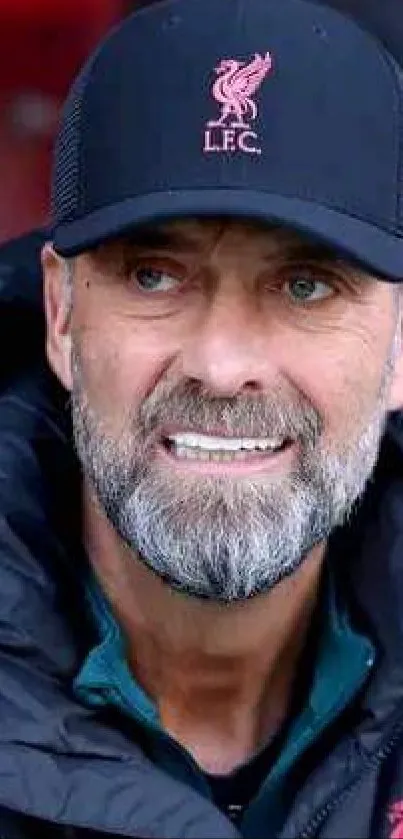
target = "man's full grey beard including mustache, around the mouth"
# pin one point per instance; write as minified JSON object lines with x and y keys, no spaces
{"x":224,"y":539}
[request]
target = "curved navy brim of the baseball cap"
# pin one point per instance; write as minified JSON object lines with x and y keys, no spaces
{"x":377,"y":250}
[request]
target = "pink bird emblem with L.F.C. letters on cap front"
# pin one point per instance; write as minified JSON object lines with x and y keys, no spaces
{"x":234,"y":90}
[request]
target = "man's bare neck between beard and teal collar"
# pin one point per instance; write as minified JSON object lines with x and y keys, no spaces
{"x":222,"y":676}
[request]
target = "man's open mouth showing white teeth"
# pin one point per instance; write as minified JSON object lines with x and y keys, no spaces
{"x":205,"y":447}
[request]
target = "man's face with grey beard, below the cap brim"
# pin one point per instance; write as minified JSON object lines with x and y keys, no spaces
{"x":230,"y":386}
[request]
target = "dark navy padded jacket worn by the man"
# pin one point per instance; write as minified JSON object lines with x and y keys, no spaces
{"x":70,"y":771}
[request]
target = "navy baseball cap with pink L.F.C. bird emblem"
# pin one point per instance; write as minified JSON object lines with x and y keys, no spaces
{"x":280,"y":111}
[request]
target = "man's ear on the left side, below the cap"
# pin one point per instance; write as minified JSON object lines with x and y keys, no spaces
{"x":58,"y":315}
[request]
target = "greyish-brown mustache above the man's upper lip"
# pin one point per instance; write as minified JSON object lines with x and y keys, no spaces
{"x":280,"y":413}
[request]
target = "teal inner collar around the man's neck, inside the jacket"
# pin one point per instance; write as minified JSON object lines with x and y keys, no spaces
{"x":342,"y":662}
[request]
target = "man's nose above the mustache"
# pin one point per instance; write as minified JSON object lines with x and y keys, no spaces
{"x":228,"y":351}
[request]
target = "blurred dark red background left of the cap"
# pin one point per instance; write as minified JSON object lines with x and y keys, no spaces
{"x":42,"y":45}
